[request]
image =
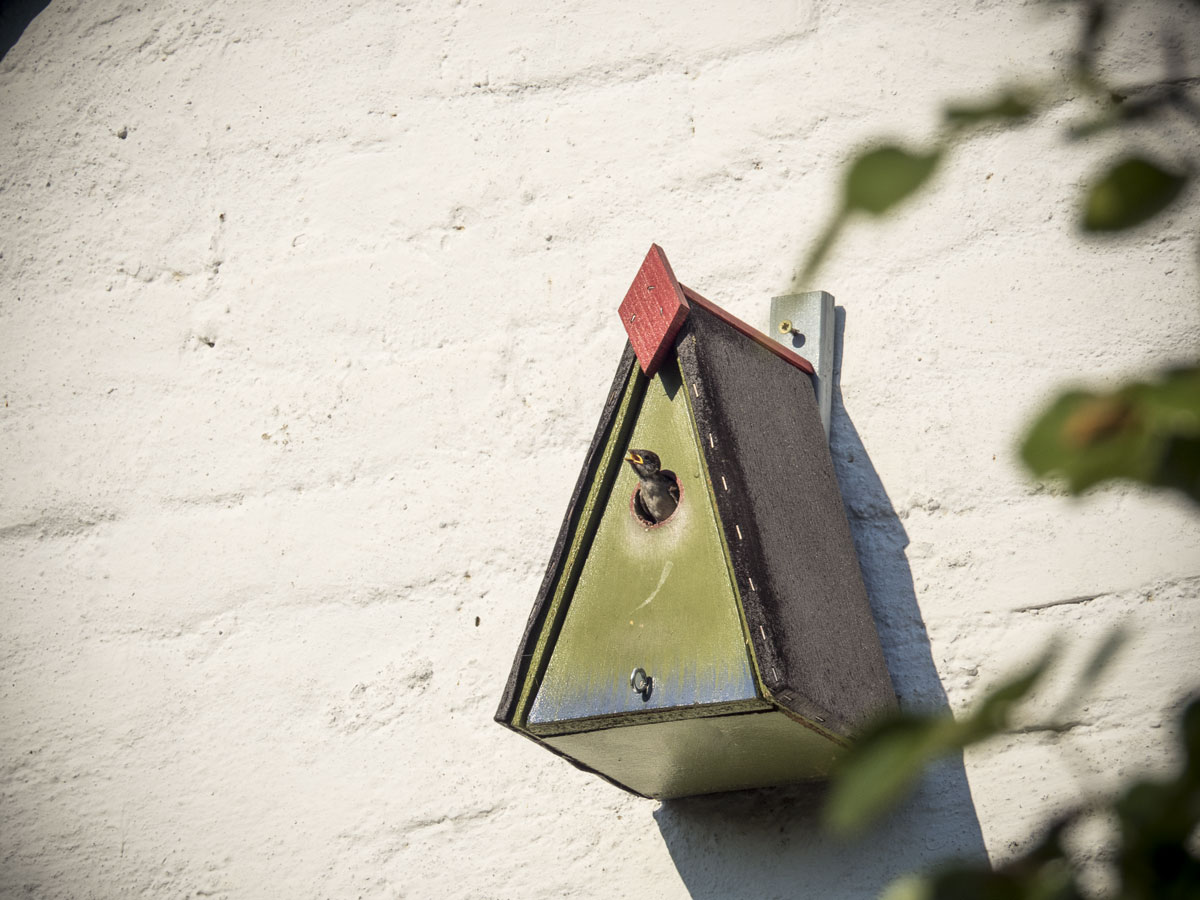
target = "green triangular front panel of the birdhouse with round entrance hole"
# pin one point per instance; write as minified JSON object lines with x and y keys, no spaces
{"x":655,"y":598}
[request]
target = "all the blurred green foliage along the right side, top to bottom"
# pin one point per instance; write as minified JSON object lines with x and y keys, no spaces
{"x":1147,"y":431}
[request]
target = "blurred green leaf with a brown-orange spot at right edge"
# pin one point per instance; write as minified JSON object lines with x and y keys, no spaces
{"x":1148,"y":433}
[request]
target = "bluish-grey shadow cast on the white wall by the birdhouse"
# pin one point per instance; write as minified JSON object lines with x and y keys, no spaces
{"x":770,"y":844}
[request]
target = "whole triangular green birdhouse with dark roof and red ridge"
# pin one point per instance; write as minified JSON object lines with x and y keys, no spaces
{"x":728,"y":644}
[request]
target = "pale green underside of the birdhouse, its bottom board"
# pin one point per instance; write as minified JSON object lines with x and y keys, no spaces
{"x":704,"y":755}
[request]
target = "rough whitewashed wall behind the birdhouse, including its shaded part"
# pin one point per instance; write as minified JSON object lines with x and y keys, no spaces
{"x":308,"y":313}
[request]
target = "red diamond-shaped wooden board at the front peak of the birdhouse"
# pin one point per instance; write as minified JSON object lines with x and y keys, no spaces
{"x":653,"y":310}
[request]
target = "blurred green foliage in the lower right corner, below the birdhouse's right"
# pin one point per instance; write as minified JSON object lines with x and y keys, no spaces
{"x":1157,"y":821}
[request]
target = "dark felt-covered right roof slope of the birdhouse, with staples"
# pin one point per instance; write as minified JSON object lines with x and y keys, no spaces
{"x":778,"y":500}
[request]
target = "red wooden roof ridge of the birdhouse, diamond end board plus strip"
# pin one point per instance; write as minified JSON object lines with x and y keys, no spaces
{"x":656,"y":307}
